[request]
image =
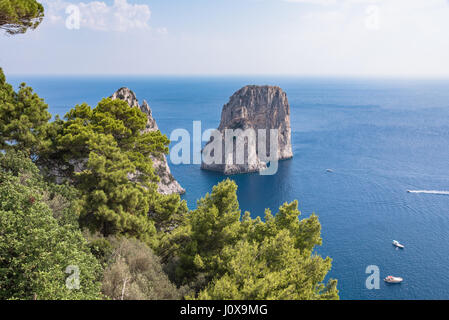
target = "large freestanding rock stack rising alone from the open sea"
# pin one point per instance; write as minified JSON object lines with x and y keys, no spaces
{"x":253,"y":107}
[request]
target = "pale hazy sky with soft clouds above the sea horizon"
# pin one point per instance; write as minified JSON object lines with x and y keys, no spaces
{"x":367,"y":38}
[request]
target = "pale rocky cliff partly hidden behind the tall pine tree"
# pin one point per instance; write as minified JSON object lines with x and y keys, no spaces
{"x":167,"y":184}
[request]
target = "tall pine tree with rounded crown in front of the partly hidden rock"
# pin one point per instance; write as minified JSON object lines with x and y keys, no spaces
{"x":105,"y":154}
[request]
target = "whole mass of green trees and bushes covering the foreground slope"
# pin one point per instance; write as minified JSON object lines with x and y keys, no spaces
{"x":81,"y":191}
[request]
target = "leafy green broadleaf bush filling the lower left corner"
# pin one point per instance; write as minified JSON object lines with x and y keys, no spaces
{"x":37,"y":241}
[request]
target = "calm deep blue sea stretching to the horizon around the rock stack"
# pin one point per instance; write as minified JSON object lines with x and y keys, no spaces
{"x":380,"y":137}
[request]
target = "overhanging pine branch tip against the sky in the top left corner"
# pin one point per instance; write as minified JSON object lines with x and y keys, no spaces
{"x":17,"y":16}
